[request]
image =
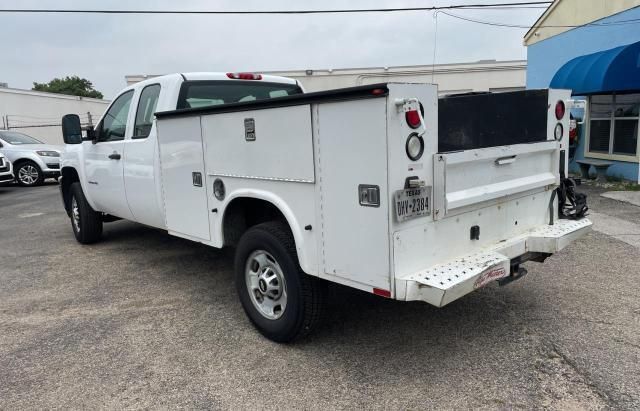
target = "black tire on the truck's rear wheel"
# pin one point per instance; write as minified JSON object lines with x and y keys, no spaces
{"x":305,"y":295}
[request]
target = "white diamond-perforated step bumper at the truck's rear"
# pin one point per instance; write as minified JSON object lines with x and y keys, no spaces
{"x":441,"y":284}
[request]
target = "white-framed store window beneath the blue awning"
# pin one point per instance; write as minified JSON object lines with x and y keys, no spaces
{"x":614,"y":124}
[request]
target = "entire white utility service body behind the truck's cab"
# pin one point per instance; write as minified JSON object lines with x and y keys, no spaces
{"x":506,"y":190}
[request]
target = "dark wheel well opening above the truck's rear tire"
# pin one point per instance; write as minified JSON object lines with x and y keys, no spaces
{"x":245,"y":212}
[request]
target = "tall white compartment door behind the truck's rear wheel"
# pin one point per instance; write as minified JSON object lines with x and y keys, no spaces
{"x":351,"y":149}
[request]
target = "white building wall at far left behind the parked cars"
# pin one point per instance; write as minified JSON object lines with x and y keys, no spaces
{"x":38,"y":114}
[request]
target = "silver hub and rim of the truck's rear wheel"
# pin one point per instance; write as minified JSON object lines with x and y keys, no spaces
{"x":266,"y":285}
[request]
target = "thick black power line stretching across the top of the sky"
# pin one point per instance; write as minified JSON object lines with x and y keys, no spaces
{"x":241,"y":12}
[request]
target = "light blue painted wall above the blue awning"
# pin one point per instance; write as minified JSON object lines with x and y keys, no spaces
{"x":545,"y":58}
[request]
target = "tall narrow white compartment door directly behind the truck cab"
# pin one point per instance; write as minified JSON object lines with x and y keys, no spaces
{"x":183,"y":177}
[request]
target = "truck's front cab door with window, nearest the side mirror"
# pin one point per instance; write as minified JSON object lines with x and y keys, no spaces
{"x":104,"y":160}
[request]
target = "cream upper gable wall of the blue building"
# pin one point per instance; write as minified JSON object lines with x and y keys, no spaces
{"x":573,"y":13}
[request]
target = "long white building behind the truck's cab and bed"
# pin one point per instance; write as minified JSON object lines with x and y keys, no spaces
{"x":485,"y":75}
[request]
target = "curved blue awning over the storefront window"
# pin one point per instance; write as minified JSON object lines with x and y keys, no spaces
{"x":615,"y":70}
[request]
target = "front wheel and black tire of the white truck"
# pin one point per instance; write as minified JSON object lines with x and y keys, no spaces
{"x":88,"y":227}
